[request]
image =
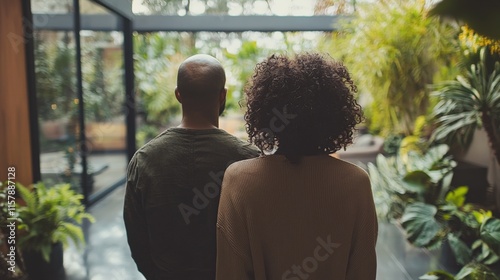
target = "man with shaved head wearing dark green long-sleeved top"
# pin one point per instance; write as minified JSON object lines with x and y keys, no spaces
{"x":173,"y":182}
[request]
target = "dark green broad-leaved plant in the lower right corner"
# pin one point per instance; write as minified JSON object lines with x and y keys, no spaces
{"x":471,"y":233}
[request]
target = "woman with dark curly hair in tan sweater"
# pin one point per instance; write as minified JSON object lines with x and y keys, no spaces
{"x":298,"y":213}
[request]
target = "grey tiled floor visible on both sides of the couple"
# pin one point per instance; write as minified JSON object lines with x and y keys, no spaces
{"x":107,"y":255}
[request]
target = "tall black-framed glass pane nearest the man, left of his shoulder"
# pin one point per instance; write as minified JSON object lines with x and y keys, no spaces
{"x":103,"y":97}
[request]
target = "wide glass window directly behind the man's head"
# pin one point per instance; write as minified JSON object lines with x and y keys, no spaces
{"x":158,"y":56}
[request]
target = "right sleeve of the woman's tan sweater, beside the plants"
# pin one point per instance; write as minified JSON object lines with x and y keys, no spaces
{"x":362,"y":264}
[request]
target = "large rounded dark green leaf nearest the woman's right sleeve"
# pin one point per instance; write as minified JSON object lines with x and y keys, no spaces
{"x":420,"y":224}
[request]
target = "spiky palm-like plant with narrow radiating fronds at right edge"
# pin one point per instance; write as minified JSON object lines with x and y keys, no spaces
{"x":469,"y":102}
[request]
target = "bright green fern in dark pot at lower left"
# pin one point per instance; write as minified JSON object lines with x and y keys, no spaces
{"x":49,"y":218}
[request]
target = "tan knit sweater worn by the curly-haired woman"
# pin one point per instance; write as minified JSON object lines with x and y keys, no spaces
{"x":312,"y":220}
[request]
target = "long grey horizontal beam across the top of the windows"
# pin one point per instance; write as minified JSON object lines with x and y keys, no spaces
{"x":211,"y":23}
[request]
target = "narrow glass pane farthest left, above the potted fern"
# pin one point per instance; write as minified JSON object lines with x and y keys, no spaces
{"x":57,"y":106}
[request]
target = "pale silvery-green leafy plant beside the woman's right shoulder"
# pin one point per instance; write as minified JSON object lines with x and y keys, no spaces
{"x":412,"y":177}
